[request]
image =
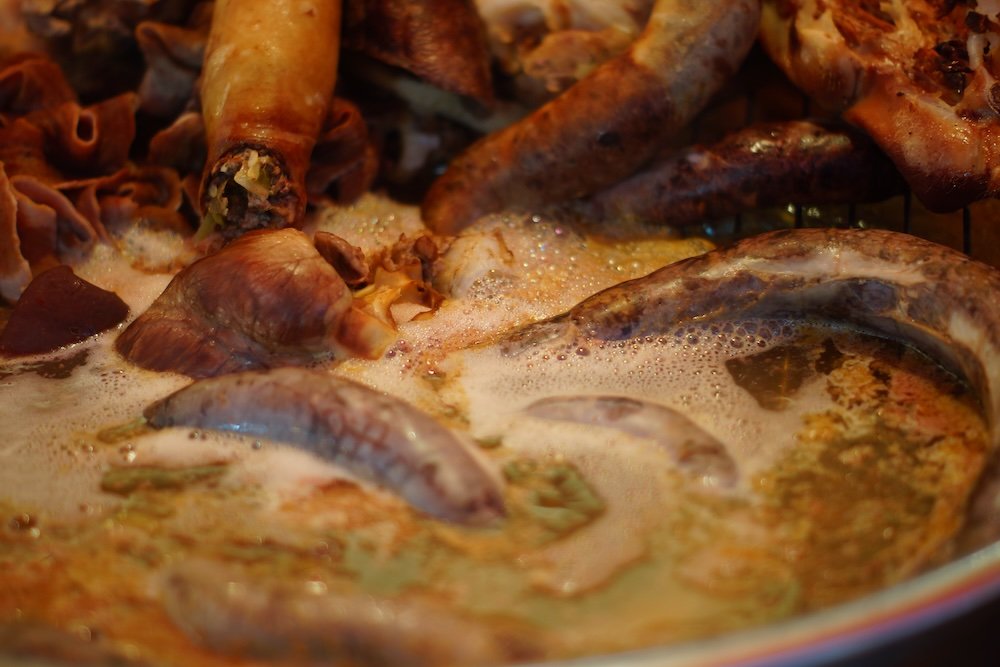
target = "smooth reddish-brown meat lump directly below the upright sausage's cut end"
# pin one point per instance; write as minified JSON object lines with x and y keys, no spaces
{"x":266,"y":299}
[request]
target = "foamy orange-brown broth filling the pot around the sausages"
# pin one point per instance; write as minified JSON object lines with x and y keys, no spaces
{"x":852,"y":473}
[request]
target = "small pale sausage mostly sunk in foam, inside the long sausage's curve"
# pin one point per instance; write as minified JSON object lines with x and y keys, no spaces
{"x":689,"y":446}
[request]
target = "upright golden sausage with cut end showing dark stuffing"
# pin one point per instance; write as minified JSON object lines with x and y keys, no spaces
{"x":267,"y":82}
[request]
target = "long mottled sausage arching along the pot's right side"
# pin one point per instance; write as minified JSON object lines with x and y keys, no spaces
{"x":895,"y":285}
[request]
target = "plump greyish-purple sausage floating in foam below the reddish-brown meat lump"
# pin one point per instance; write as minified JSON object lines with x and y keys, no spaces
{"x":348,"y":423}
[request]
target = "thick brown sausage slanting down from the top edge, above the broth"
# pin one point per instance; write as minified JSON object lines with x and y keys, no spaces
{"x":606,"y":126}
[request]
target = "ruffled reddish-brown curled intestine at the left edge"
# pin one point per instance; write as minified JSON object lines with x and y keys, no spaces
{"x":67,"y":173}
